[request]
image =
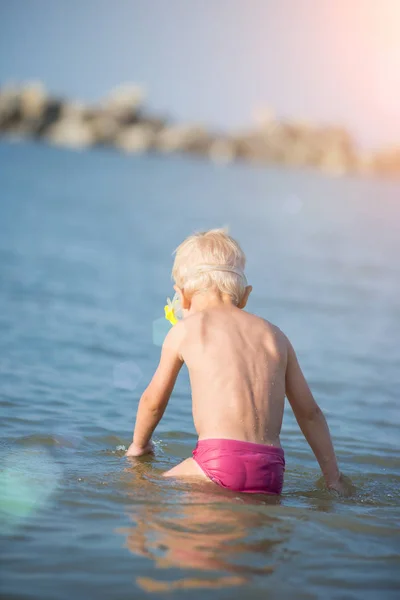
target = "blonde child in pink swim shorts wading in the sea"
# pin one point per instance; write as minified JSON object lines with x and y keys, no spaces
{"x":241,"y":367}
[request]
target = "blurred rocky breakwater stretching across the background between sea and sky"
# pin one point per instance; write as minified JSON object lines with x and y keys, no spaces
{"x":121,"y":121}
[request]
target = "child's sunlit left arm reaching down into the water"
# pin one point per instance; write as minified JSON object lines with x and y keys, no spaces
{"x":155,"y":398}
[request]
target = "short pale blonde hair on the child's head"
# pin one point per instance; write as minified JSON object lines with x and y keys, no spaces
{"x":208,"y":260}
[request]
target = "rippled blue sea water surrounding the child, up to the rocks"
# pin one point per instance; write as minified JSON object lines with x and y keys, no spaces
{"x":85,"y":258}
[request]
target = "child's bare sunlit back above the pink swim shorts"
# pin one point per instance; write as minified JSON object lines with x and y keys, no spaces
{"x":237,"y":364}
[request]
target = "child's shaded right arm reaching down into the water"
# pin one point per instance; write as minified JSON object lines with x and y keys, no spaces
{"x":311,"y":421}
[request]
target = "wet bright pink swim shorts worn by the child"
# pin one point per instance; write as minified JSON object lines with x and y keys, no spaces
{"x":242,"y":466}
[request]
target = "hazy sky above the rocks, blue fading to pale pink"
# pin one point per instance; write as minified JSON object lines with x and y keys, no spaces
{"x":218,"y":62}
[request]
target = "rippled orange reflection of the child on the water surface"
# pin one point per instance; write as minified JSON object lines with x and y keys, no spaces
{"x":209,"y":530}
